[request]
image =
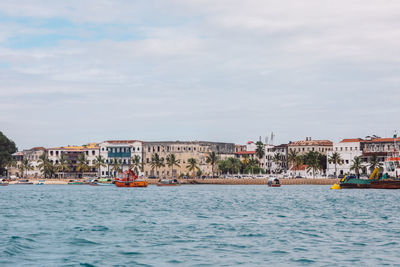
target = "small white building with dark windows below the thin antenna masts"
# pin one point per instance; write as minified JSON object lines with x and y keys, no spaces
{"x":276,"y":158}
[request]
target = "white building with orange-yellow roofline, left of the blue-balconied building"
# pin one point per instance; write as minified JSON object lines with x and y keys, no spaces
{"x":72,"y":154}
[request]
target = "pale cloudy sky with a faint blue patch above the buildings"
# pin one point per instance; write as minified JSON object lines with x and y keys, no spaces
{"x":74,"y":72}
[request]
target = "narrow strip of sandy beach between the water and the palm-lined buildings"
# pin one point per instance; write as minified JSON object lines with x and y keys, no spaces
{"x":215,"y":181}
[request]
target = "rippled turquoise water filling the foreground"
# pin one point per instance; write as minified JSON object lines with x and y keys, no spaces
{"x":200,"y":225}
